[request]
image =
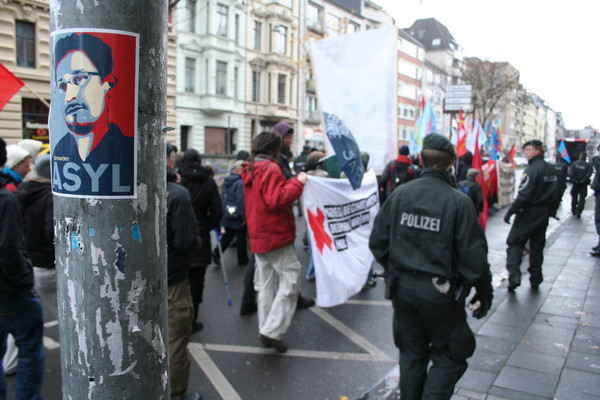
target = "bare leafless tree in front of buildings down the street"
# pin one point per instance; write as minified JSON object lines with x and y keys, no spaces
{"x":494,"y":85}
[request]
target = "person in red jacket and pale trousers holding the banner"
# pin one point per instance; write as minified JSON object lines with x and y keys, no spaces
{"x":272,"y":230}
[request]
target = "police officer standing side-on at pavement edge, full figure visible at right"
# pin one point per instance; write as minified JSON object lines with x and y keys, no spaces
{"x":536,"y":202}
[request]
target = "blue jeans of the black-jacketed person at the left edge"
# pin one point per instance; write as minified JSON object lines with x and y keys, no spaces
{"x":22,"y":317}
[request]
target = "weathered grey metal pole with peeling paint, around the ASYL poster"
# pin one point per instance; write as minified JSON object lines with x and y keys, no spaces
{"x":111,"y":252}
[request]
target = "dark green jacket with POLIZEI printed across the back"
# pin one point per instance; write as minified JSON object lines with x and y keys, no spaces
{"x":428,"y":226}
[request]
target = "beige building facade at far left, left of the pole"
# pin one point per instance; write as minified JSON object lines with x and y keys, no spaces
{"x":24,"y":50}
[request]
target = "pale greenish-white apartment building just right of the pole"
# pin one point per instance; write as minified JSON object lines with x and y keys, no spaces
{"x":210,"y":75}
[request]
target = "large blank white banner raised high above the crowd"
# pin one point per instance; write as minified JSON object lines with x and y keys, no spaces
{"x":356,"y":81}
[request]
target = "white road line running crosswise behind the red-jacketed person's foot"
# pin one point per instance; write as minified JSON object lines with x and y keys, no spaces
{"x":324,"y":355}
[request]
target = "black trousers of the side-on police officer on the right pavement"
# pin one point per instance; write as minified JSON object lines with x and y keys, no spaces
{"x":528,"y":226}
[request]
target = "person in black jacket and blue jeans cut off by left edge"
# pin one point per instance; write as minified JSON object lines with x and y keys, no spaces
{"x":20,"y":308}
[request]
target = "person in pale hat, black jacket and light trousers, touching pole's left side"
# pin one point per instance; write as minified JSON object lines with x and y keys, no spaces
{"x":35,"y":197}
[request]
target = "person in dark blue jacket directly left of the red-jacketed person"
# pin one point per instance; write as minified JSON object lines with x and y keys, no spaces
{"x":234,"y":216}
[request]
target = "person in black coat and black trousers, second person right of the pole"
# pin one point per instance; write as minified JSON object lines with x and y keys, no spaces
{"x":208,"y":210}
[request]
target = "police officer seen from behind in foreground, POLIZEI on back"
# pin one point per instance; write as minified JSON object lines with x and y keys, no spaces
{"x":427,"y":236}
